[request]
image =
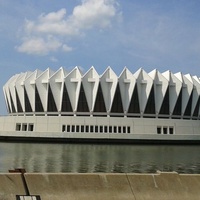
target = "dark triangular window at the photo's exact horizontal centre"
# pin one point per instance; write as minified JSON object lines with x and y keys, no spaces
{"x":99,"y":103}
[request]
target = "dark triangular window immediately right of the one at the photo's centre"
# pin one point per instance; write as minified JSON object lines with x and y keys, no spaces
{"x":117,"y":106}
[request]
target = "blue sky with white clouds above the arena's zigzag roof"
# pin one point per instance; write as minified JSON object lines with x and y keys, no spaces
{"x":156,"y":34}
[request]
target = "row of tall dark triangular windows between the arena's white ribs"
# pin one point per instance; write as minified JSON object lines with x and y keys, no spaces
{"x":117,"y":106}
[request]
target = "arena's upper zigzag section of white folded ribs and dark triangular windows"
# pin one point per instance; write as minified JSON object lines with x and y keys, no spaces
{"x":139,"y":94}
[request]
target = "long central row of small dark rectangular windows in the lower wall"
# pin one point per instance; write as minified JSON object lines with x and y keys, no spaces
{"x":95,"y":129}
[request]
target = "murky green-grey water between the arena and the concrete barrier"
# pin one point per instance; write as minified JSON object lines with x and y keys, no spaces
{"x":37,"y":157}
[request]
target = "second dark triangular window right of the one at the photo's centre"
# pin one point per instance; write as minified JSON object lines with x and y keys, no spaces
{"x":134,"y":106}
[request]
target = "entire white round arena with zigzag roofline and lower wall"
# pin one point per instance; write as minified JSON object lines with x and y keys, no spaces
{"x":72,"y":106}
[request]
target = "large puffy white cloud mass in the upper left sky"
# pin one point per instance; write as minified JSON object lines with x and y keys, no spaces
{"x":89,"y":14}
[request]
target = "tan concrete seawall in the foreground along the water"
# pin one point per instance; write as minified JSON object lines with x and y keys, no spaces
{"x":74,"y":186}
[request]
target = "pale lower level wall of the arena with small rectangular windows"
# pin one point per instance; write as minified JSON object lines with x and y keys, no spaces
{"x":100,"y":127}
